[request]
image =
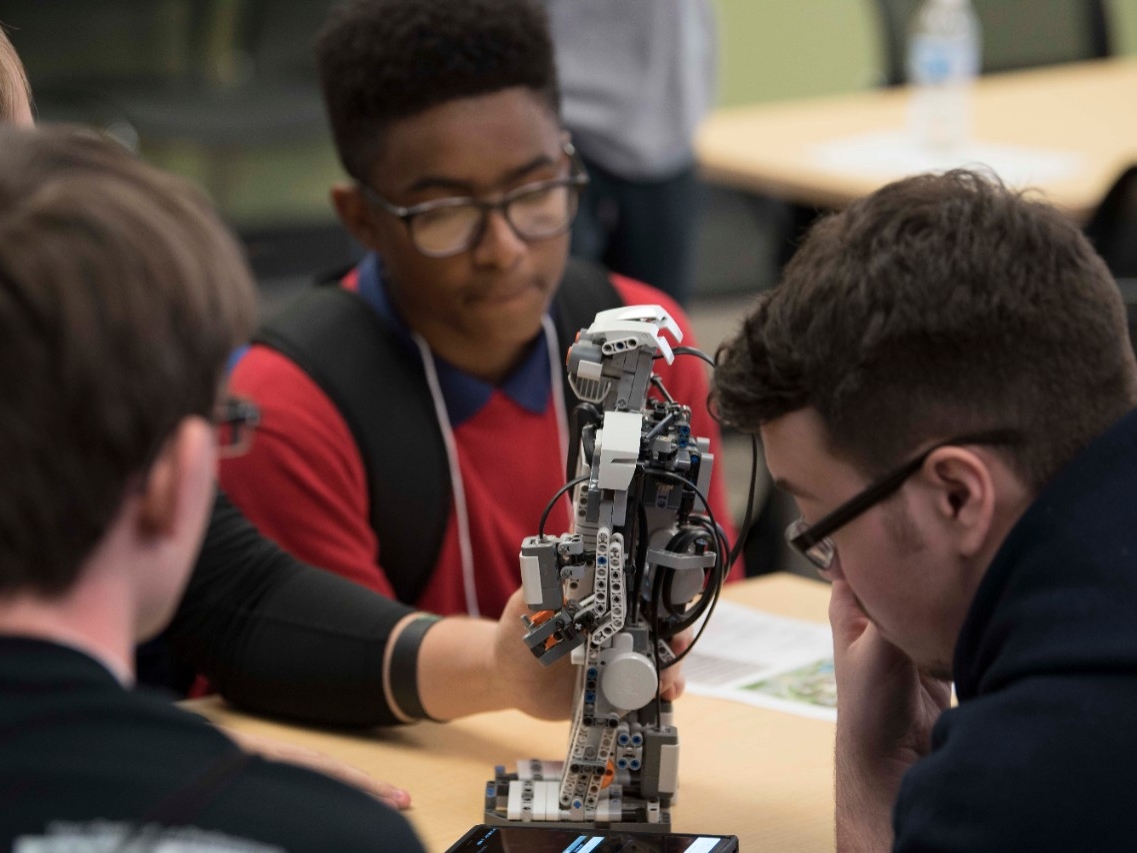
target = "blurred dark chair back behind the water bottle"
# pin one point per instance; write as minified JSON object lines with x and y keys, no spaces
{"x":1016,"y":34}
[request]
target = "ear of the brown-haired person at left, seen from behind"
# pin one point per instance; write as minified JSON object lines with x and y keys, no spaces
{"x":186,"y":467}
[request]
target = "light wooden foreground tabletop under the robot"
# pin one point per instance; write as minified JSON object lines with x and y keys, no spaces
{"x":761,"y":775}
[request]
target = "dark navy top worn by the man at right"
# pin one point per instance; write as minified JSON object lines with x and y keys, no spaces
{"x":1042,"y":752}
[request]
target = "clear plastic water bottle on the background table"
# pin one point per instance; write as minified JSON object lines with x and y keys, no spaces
{"x":943,"y":61}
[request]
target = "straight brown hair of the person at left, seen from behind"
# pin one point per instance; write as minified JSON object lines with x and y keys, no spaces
{"x":121,"y":297}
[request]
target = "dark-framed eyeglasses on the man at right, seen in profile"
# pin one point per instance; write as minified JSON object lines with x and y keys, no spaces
{"x":815,"y":542}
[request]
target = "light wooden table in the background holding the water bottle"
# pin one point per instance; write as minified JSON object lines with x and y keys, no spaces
{"x":1086,"y":109}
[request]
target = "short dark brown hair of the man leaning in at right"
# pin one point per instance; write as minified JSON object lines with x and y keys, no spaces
{"x":939,"y":307}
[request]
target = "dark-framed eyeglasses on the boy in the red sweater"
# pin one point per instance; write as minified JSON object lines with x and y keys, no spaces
{"x":449,"y":227}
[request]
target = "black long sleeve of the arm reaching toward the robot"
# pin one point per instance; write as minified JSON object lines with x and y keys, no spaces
{"x":277,"y":636}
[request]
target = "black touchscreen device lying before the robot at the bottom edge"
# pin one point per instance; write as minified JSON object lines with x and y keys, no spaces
{"x":521,"y":839}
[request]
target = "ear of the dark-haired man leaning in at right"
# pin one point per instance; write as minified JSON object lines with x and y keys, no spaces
{"x":964,"y":490}
